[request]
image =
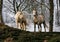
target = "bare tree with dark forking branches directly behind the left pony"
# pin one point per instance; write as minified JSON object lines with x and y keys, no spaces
{"x":19,"y":7}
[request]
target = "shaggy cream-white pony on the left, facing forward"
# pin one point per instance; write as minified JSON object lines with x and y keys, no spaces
{"x":20,"y":20}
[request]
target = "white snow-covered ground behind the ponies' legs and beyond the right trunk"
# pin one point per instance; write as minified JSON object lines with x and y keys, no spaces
{"x":30,"y":27}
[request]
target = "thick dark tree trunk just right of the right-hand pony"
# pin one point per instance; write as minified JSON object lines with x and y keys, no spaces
{"x":51,"y":15}
